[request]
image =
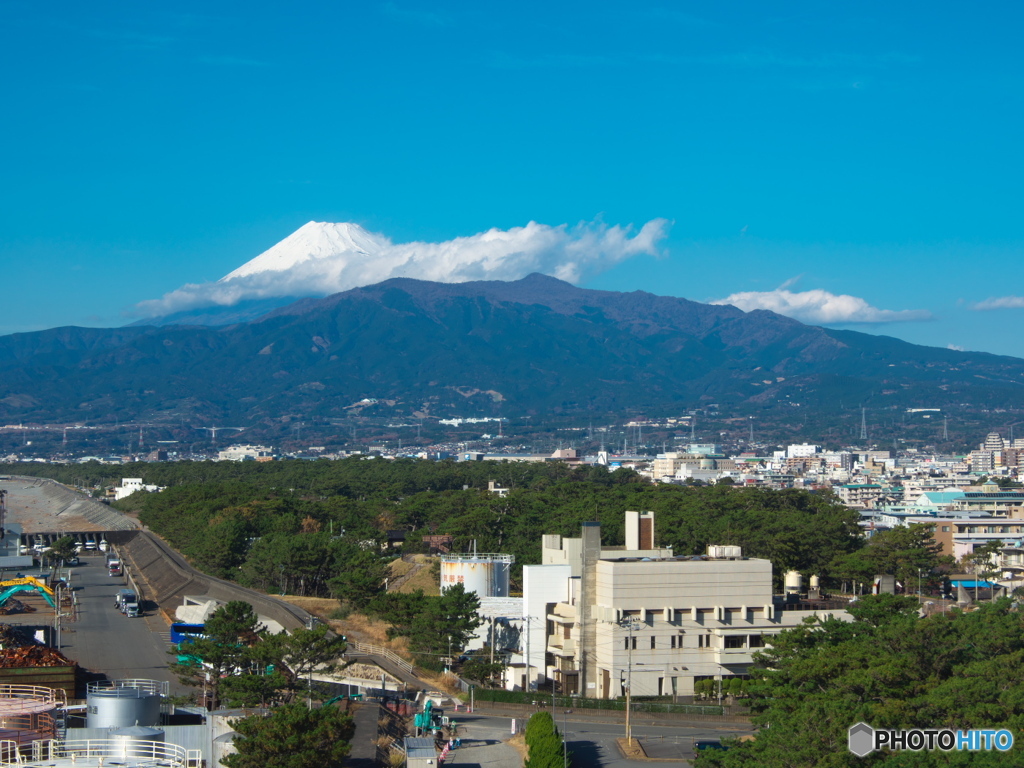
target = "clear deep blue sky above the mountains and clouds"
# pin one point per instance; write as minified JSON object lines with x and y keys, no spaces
{"x":801,"y":151}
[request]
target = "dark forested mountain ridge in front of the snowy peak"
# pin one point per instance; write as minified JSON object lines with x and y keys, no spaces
{"x":536,"y":346}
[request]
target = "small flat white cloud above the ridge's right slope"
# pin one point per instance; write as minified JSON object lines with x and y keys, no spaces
{"x":821,"y":308}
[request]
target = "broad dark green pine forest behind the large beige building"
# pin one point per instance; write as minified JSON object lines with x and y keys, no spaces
{"x":297,"y":527}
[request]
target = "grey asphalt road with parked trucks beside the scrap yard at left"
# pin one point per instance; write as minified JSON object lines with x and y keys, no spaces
{"x":103,"y":641}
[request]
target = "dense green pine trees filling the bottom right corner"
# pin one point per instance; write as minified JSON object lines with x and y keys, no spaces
{"x":890,"y":669}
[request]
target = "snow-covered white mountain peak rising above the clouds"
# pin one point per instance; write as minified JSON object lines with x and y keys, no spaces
{"x":317,"y":240}
